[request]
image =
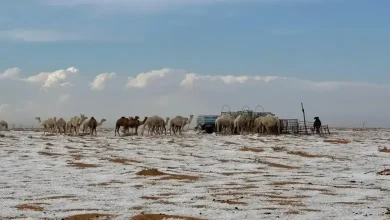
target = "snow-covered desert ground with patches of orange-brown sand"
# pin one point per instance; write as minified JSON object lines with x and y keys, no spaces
{"x":195,"y":176}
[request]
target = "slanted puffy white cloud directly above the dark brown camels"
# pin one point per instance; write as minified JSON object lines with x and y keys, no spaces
{"x":144,"y":79}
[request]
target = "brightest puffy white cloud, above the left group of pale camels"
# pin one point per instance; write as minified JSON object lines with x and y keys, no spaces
{"x":52,"y":79}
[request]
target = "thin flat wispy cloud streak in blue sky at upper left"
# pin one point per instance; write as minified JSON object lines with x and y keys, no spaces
{"x":30,"y":35}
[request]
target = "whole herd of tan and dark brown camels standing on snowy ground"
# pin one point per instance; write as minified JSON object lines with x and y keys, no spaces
{"x":157,"y":125}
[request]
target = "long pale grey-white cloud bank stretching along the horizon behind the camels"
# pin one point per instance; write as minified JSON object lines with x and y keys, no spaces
{"x":170,"y":92}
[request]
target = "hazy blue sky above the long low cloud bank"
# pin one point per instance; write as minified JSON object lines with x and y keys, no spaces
{"x":315,"y":40}
